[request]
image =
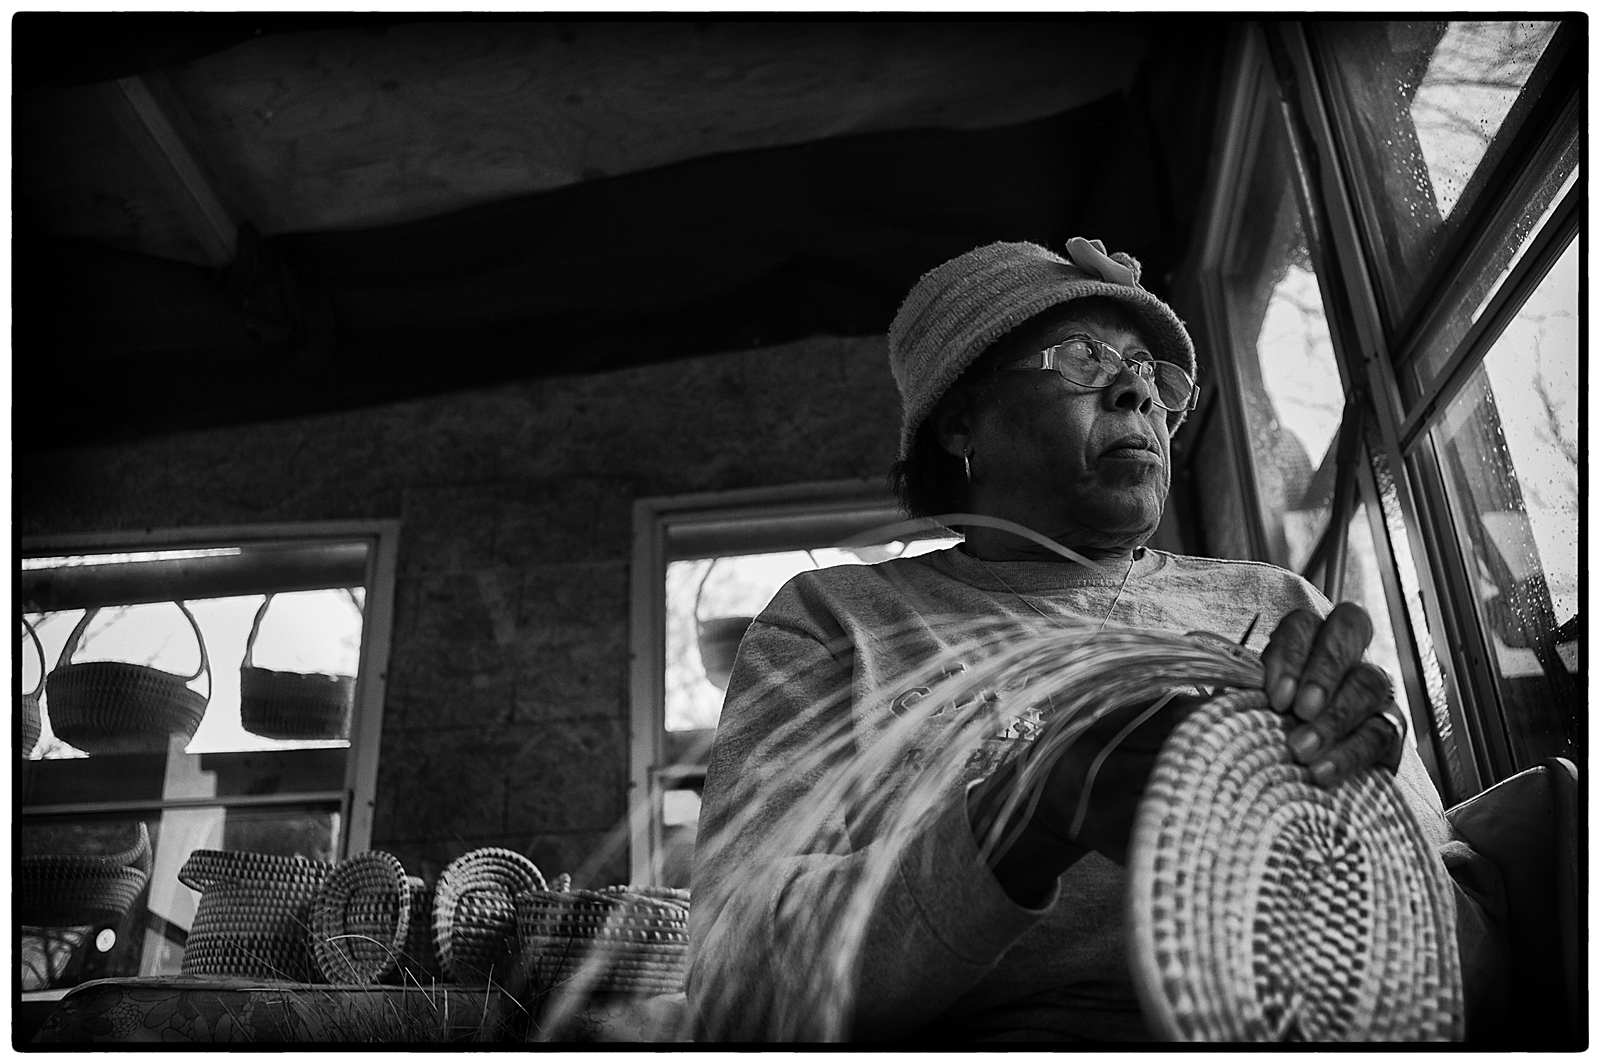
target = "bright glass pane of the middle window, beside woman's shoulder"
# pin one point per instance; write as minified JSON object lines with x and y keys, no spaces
{"x":713,"y":601}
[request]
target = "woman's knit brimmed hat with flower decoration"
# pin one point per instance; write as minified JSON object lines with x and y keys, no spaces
{"x":961,"y":308}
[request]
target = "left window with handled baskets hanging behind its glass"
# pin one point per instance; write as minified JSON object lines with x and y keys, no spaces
{"x":190,"y":690}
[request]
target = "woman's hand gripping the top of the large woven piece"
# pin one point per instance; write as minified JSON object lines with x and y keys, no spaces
{"x":1345,"y":706}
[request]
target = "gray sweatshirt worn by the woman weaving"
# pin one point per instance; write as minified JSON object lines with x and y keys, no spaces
{"x":946,"y":953}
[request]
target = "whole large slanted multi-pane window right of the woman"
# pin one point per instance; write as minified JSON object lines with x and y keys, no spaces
{"x":1393,"y":257}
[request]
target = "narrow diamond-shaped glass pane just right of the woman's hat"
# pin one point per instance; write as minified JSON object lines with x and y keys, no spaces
{"x":1289,"y":378}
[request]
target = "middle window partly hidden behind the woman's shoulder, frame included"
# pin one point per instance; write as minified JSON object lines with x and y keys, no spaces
{"x":703,"y":569}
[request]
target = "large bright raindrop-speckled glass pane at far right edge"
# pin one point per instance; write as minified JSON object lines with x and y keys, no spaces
{"x":1510,"y":450}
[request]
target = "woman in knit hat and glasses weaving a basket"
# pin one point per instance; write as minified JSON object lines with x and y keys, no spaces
{"x":1044,"y":391}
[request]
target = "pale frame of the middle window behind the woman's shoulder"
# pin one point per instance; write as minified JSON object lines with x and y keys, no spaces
{"x":673,"y":529}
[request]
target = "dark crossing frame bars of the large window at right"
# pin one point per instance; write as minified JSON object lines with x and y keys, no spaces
{"x":1449,"y":673}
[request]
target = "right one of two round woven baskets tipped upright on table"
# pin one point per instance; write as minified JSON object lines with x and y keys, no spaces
{"x":476,"y":913}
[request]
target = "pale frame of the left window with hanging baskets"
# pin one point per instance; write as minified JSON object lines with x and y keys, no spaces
{"x":358,"y":801}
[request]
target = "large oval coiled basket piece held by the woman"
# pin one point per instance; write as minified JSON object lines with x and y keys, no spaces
{"x":1263,"y":908}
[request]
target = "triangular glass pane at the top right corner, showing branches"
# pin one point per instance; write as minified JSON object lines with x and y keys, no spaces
{"x":1430,"y":110}
